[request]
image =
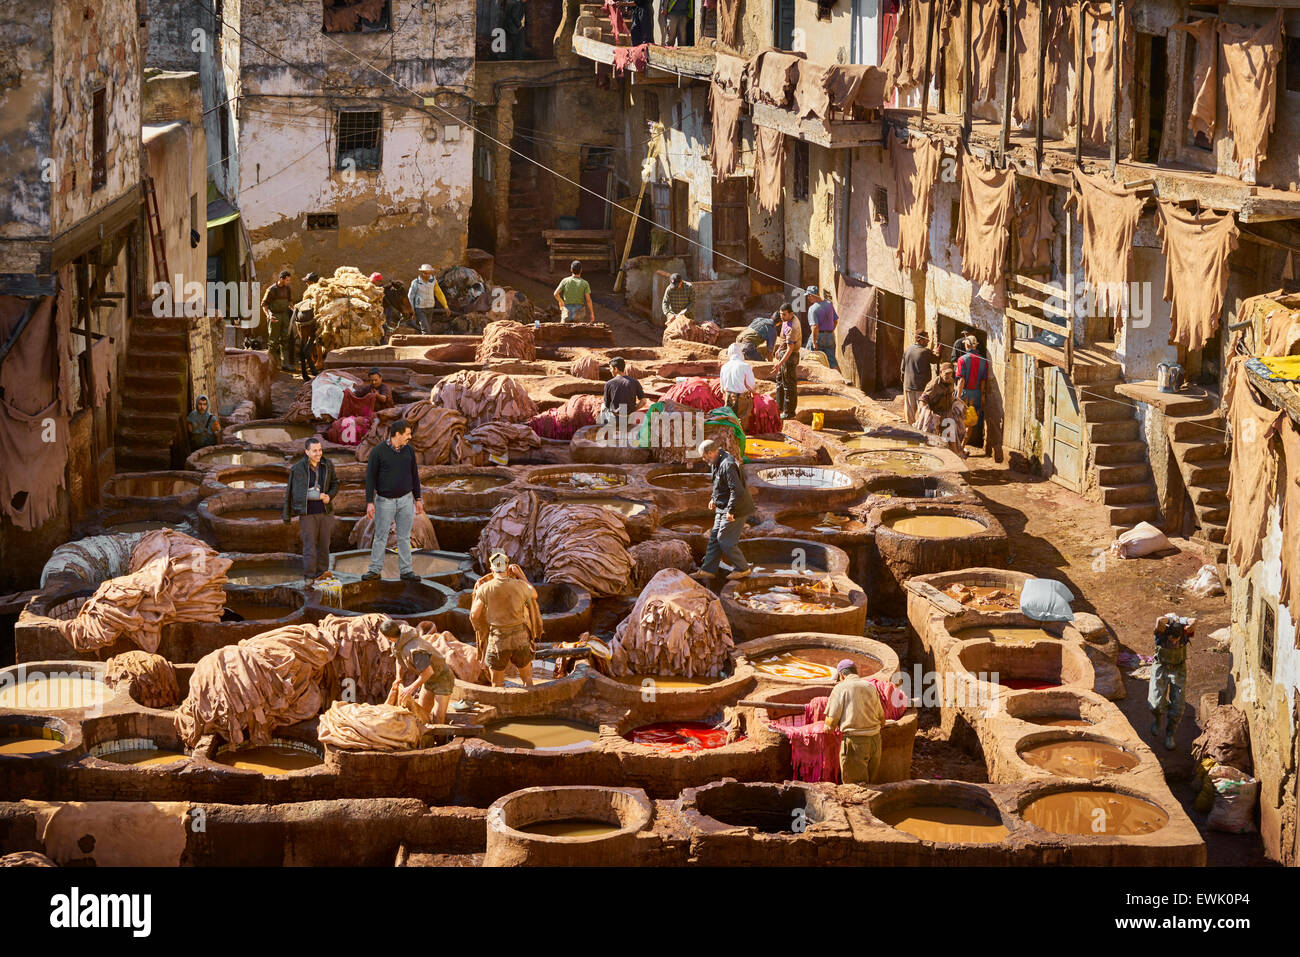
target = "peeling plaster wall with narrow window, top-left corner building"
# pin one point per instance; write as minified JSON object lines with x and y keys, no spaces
{"x":97,"y":46}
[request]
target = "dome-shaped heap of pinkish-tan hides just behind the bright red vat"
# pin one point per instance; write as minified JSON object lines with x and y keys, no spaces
{"x":678,"y":627}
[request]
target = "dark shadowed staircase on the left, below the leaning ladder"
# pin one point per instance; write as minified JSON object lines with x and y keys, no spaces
{"x":154,"y":395}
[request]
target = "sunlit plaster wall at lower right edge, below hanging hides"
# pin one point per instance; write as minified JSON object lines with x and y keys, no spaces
{"x":1269,"y":703}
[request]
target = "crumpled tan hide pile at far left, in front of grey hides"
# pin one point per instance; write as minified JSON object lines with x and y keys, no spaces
{"x":172,"y":578}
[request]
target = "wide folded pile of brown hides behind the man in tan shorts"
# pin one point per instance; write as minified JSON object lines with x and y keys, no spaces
{"x":583,"y":545}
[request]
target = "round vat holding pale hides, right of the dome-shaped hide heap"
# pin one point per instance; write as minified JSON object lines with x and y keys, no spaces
{"x":774,"y":605}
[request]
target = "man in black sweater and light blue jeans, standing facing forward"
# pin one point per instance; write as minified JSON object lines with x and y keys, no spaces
{"x":393,"y":497}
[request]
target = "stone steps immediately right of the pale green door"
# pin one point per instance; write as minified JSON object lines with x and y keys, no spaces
{"x":1123,"y":478}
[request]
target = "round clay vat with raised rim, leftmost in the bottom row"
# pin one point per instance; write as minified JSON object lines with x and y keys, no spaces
{"x":566,"y":826}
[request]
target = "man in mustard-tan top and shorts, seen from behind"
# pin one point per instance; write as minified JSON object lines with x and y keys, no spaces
{"x":506,"y":620}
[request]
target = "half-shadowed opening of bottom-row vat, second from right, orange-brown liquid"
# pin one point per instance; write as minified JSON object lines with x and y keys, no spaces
{"x":942,"y":813}
